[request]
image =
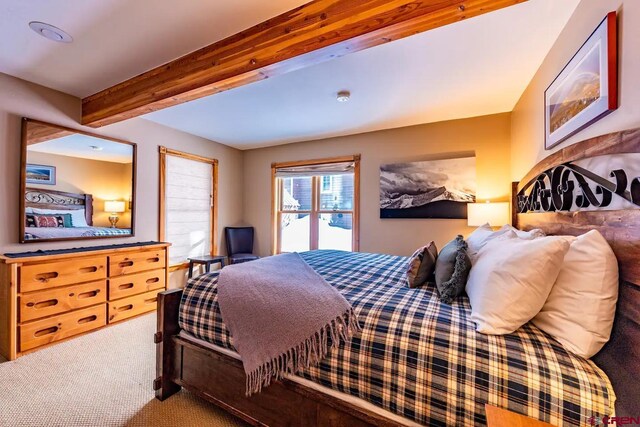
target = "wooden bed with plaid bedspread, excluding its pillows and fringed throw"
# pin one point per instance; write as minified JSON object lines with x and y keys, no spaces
{"x":437,"y":371}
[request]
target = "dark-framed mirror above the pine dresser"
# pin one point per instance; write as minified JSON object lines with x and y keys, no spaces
{"x":75,"y":185}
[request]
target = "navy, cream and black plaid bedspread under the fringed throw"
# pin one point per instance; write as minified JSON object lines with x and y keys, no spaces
{"x":424,"y":360}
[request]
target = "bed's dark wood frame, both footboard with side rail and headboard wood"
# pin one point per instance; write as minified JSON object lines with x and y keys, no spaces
{"x":218,"y":378}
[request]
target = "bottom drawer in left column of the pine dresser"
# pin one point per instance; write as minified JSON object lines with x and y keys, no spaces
{"x":41,"y":332}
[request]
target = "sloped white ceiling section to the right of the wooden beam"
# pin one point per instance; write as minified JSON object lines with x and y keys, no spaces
{"x":472,"y":68}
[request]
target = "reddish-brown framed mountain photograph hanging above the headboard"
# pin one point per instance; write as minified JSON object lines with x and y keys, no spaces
{"x":586,"y":89}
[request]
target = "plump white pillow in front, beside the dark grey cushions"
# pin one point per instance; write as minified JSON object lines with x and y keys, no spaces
{"x":511,"y":280}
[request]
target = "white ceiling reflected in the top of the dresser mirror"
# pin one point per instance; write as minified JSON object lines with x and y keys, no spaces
{"x":78,"y":145}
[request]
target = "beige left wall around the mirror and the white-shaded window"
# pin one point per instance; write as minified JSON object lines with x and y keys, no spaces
{"x":20,"y":98}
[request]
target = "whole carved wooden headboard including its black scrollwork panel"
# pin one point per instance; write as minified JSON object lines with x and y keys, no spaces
{"x":562,"y":196}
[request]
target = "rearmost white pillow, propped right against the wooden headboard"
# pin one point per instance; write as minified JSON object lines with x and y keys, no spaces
{"x":580,"y":309}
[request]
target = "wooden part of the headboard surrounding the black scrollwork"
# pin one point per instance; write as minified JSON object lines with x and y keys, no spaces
{"x":620,"y":358}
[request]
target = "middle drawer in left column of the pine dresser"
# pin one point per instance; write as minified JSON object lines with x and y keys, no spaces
{"x":46,"y":303}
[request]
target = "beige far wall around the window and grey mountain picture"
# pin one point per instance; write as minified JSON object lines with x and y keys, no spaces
{"x":488,"y":137}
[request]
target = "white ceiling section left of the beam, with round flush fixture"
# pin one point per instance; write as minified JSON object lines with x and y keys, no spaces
{"x":116,"y":39}
